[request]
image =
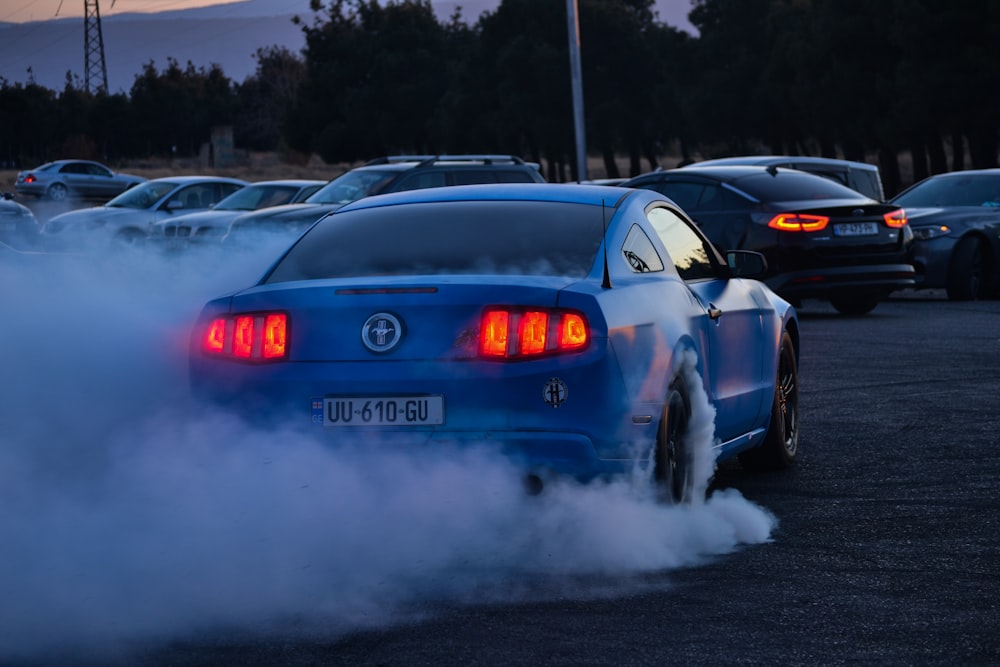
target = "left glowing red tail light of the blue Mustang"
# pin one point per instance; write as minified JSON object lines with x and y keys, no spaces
{"x":250,"y":336}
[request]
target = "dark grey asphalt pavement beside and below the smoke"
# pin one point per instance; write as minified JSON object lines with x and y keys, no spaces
{"x":887,"y":549}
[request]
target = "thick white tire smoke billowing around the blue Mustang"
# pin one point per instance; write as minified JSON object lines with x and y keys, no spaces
{"x":128,"y":517}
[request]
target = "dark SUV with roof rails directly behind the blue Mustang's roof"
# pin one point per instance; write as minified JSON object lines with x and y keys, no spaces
{"x":387,"y":174}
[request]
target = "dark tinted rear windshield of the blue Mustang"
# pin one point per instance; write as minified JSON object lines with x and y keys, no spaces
{"x":484,"y":237}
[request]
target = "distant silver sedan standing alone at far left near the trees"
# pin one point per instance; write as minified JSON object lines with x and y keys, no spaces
{"x":80,"y":179}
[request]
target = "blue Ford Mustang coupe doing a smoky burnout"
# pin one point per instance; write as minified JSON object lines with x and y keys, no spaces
{"x":569,"y":326}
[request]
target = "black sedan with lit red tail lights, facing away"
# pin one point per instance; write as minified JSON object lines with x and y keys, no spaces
{"x":821,"y":239}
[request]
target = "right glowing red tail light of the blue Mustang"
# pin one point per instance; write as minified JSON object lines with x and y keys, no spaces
{"x":516,"y":333}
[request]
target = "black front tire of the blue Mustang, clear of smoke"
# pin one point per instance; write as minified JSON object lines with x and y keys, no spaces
{"x":781,"y":444}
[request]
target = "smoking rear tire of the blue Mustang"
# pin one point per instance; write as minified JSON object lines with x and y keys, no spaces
{"x":673,"y":471}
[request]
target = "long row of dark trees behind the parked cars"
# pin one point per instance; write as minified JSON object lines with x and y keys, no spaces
{"x":870,"y":80}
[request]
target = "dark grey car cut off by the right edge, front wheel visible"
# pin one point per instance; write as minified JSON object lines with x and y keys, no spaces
{"x":956,"y":222}
